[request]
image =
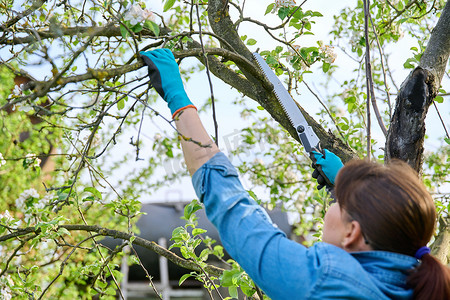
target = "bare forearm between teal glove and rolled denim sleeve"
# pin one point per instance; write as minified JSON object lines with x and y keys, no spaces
{"x":196,"y":143}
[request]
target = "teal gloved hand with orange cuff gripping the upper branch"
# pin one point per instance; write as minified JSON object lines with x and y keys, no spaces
{"x":165,"y":78}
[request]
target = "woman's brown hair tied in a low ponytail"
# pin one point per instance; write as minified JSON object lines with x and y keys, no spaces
{"x":396,"y":213}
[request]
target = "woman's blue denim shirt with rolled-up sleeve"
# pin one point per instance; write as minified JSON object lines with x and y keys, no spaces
{"x":282,"y":268}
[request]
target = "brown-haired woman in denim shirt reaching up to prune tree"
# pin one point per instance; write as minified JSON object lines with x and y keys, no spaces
{"x":374,"y":237}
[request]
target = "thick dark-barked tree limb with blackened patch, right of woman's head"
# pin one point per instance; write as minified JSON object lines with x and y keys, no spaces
{"x":407,"y":131}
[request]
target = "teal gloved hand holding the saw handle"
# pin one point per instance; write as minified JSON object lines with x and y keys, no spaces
{"x":326,"y":166}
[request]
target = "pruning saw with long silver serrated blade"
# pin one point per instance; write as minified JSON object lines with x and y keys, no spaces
{"x":307,"y":136}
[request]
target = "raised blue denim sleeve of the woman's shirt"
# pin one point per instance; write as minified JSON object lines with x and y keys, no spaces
{"x":280,"y":267}
